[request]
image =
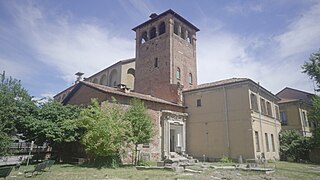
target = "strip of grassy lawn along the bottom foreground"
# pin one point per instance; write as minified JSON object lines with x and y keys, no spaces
{"x":284,"y":170}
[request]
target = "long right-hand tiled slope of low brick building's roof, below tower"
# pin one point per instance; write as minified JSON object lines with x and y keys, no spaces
{"x":129,"y":94}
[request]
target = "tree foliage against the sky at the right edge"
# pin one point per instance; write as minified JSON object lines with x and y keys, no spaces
{"x":312,"y":67}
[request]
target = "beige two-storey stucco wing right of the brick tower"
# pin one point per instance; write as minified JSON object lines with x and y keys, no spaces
{"x":223,"y":122}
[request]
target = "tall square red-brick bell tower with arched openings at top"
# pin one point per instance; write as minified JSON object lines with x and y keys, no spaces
{"x":165,"y":56}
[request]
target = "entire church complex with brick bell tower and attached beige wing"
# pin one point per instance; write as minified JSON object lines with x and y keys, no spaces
{"x":163,"y":75}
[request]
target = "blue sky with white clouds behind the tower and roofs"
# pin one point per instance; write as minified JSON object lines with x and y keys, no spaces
{"x":44,"y":43}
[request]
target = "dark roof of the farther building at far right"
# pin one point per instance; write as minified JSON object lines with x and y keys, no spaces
{"x":290,"y":93}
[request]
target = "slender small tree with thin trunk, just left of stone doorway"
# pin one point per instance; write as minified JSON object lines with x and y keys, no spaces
{"x":141,"y":124}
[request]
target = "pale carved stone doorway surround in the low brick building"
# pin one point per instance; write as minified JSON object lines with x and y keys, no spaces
{"x":173,"y":122}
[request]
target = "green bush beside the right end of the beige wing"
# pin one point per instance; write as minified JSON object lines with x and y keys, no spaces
{"x":293,"y":145}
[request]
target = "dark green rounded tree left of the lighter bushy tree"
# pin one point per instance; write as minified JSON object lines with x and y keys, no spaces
{"x":53,"y":123}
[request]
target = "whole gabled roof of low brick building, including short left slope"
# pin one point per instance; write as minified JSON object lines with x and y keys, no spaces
{"x":111,"y":90}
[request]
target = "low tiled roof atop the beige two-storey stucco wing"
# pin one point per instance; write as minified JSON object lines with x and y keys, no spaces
{"x":229,"y":82}
